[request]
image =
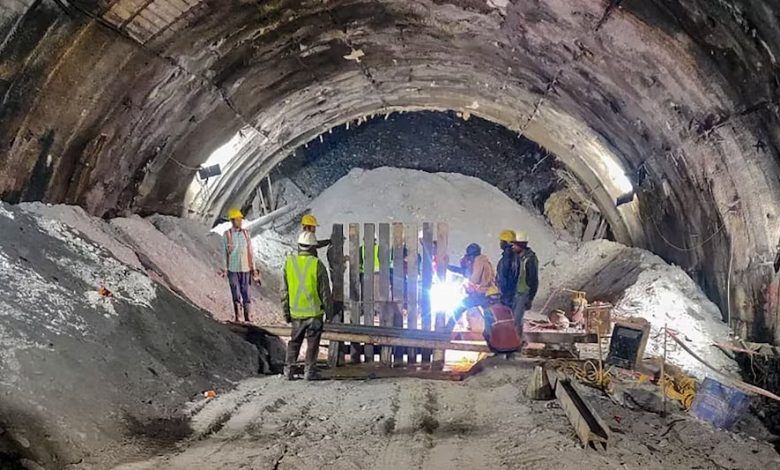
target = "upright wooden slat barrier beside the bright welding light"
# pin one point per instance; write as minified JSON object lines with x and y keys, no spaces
{"x":379,"y":295}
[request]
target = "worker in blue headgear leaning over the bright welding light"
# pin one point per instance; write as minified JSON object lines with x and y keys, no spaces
{"x":480,"y":285}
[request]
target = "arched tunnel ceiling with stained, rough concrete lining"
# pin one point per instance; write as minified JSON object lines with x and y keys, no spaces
{"x":106,"y":103}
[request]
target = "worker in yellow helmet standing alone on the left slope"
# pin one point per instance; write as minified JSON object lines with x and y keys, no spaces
{"x":239,"y":264}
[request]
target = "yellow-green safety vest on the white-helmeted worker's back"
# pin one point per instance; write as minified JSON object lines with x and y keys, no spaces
{"x":301,"y":274}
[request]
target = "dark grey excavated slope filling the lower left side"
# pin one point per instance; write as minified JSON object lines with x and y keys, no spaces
{"x":88,"y":378}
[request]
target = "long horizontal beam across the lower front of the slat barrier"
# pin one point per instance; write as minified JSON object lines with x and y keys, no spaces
{"x":378,"y":339}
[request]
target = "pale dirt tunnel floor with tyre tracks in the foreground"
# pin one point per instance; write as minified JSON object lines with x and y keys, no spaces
{"x":483,"y":422}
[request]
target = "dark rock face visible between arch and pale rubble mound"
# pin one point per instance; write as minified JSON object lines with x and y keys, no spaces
{"x":432,"y":142}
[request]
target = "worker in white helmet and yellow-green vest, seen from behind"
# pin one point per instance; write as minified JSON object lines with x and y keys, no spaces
{"x":306,"y":303}
